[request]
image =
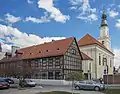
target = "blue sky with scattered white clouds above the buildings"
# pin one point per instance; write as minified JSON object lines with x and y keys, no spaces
{"x":34,"y":21}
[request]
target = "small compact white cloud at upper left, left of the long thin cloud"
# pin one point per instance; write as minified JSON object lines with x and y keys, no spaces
{"x":11,"y":19}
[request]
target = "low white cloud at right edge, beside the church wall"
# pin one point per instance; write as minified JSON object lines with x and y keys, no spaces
{"x":117,"y":57}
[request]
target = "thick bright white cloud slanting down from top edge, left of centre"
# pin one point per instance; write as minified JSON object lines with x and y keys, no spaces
{"x":55,"y":13}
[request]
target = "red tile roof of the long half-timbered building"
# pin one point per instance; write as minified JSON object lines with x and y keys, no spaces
{"x":54,"y":48}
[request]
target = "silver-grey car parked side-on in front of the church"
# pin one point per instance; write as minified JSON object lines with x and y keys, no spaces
{"x":89,"y":84}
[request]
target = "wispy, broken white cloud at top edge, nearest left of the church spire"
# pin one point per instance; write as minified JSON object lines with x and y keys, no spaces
{"x":85,"y":11}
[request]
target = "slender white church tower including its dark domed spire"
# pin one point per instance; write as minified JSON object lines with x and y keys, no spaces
{"x":104,"y":32}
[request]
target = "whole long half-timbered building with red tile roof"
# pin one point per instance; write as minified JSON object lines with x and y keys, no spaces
{"x":53,"y":60}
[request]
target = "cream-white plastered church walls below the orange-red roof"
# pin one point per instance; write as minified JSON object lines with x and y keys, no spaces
{"x":93,"y":52}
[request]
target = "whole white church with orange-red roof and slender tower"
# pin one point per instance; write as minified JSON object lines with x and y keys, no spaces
{"x":101,"y":59}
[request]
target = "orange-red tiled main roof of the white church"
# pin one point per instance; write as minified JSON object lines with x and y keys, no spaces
{"x":89,"y":40}
